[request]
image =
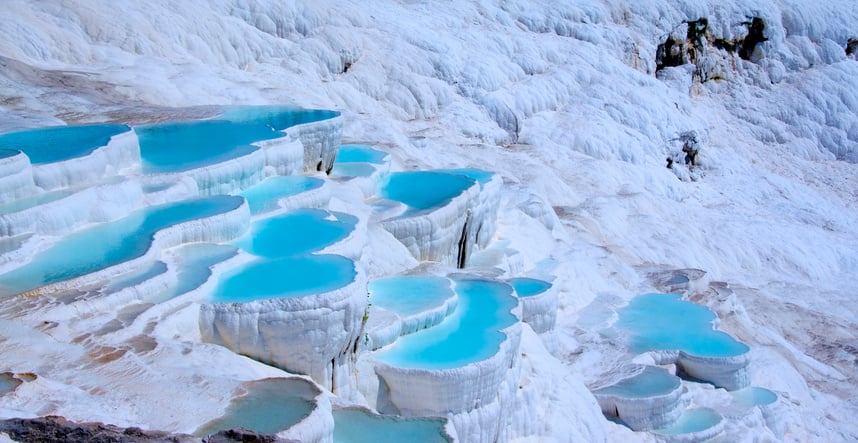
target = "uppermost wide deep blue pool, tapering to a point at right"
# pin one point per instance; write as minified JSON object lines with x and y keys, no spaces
{"x":182,"y":146}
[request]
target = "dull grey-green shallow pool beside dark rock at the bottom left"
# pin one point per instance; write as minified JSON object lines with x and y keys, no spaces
{"x":270,"y":406}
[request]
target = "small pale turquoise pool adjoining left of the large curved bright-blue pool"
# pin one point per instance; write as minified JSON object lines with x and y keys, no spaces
{"x":410,"y":294}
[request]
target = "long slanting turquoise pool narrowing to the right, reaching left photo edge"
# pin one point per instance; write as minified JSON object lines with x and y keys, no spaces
{"x":108,"y":244}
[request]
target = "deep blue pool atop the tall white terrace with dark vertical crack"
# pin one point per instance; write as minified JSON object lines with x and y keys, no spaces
{"x":425,"y":189}
